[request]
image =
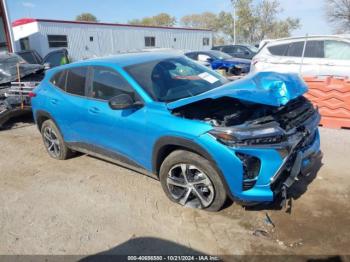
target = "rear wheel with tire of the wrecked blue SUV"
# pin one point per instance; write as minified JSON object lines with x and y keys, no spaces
{"x":53,"y":141}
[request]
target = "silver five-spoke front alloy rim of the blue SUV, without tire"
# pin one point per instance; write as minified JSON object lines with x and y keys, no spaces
{"x":189,"y":186}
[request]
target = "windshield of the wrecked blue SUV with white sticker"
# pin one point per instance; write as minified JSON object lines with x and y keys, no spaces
{"x":174,"y":78}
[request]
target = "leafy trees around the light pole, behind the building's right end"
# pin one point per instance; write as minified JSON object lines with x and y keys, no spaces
{"x":254,"y":22}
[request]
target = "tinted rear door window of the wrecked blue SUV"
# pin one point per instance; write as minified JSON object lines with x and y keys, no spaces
{"x":76,"y":79}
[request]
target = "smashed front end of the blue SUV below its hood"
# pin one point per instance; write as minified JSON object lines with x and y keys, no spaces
{"x":274,"y":143}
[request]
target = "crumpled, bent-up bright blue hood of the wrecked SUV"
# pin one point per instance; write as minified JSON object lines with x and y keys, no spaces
{"x":268,"y":88}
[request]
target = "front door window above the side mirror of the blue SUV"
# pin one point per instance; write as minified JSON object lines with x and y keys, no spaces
{"x":107,"y":83}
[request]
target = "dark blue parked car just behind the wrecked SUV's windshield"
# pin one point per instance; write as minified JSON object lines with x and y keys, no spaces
{"x":220,"y":60}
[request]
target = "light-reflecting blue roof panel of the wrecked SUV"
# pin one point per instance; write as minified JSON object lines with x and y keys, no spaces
{"x":130,"y":58}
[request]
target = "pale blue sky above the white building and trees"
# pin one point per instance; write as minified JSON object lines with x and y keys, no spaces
{"x":310,"y":12}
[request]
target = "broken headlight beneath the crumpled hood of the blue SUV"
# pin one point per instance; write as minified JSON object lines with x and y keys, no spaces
{"x":248,"y":136}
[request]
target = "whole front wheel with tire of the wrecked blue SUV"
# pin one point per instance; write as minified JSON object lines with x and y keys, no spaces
{"x":190,"y":180}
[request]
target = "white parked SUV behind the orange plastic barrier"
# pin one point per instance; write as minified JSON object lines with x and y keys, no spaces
{"x":323,"y":55}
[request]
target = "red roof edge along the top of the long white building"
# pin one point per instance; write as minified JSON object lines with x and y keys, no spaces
{"x":24,"y":21}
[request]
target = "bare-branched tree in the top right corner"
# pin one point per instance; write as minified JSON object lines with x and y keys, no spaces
{"x":338,"y":13}
